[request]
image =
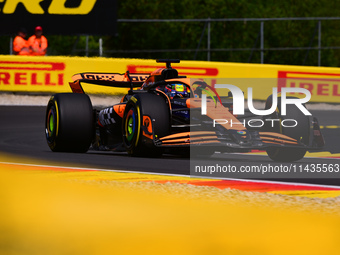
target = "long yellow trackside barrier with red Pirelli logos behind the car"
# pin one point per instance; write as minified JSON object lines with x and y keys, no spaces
{"x":52,"y":74}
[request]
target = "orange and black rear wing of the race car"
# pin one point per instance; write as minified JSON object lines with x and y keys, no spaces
{"x":126,"y":80}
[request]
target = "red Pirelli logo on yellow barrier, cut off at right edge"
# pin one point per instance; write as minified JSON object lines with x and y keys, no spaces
{"x":319,"y":84}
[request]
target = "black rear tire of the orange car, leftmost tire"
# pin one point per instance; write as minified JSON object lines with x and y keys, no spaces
{"x":69,"y":124}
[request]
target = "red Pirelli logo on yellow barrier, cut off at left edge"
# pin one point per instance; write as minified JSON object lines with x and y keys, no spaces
{"x":31,"y":73}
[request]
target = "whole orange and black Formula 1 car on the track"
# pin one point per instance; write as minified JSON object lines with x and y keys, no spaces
{"x":164,"y":115}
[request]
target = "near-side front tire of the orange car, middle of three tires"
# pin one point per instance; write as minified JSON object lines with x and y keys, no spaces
{"x":155,"y":109}
